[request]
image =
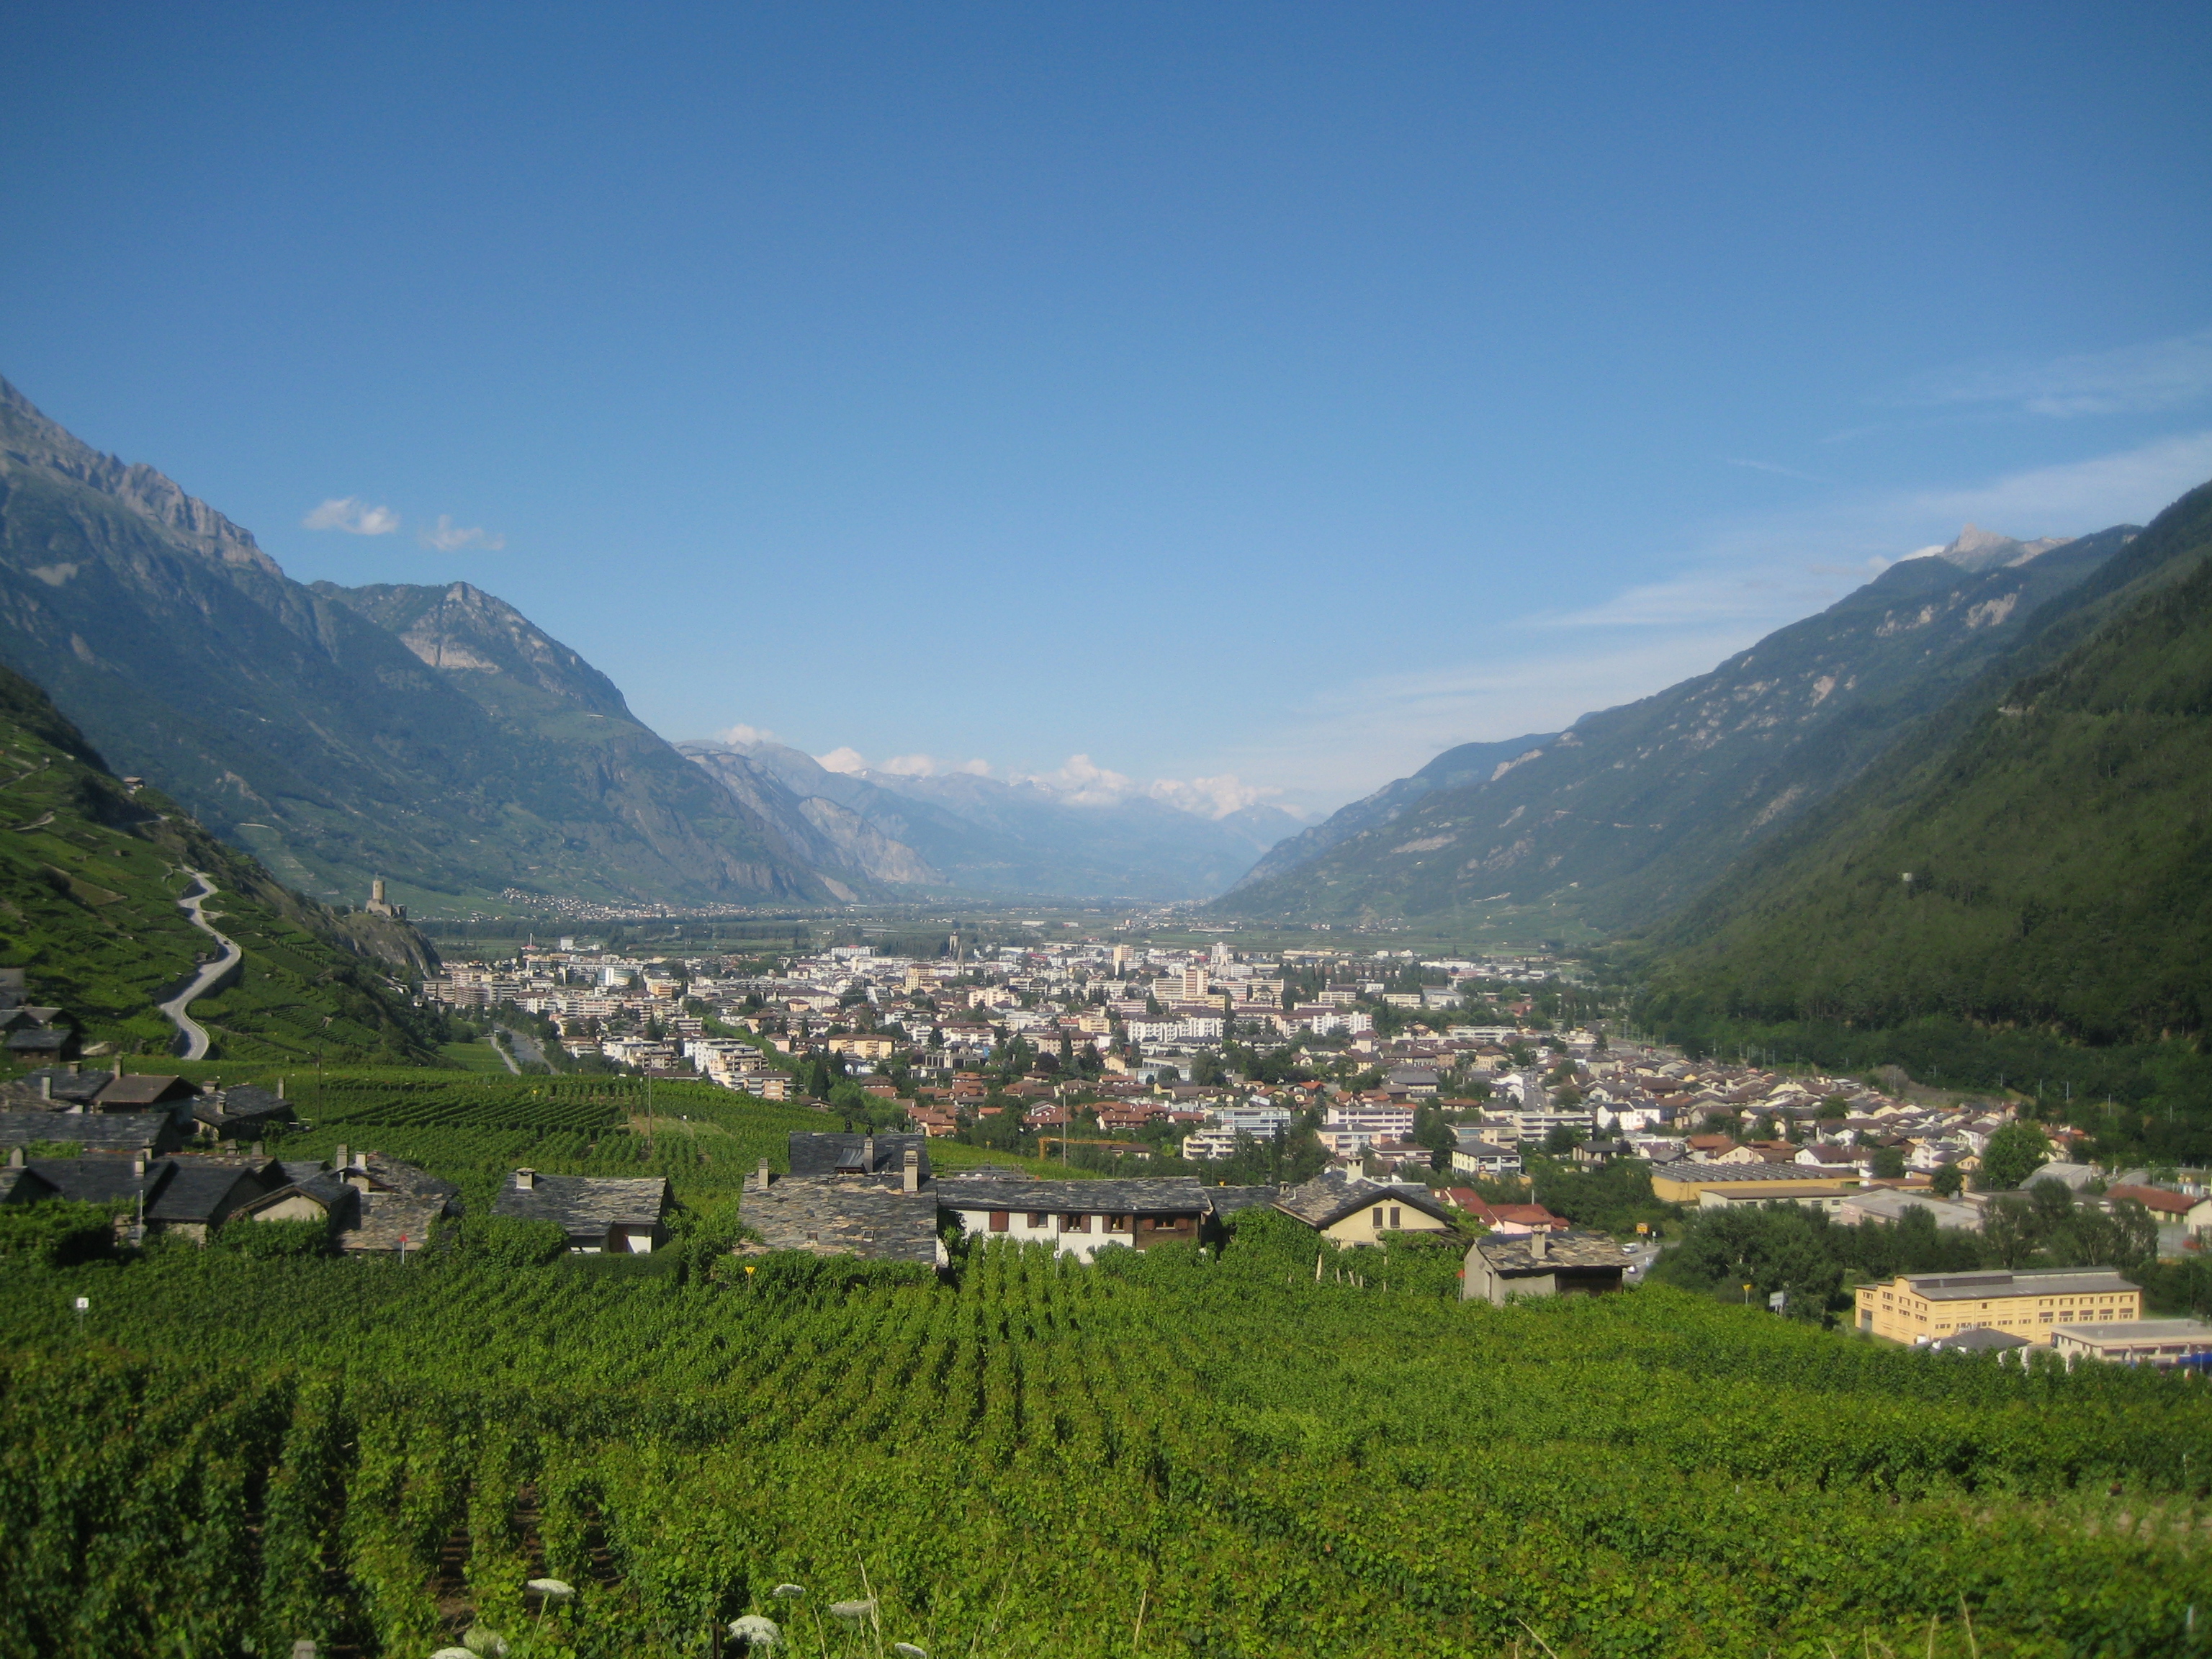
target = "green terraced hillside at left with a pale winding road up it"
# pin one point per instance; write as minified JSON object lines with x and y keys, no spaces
{"x":90,"y":881}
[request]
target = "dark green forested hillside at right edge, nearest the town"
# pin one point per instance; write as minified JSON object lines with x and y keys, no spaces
{"x":2054,"y":826}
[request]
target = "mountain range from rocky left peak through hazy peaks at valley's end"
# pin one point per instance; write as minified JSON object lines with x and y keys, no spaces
{"x":435,"y":735}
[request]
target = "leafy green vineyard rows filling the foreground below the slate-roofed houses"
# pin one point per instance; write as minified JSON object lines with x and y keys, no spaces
{"x":1154,"y":1457}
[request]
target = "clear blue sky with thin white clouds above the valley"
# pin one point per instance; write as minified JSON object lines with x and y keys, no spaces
{"x":1258,"y":395}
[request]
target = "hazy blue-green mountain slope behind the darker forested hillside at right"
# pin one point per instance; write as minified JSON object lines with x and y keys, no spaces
{"x":1640,"y":808}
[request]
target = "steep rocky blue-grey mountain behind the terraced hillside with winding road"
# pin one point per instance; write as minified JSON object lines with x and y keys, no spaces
{"x":311,"y":727}
